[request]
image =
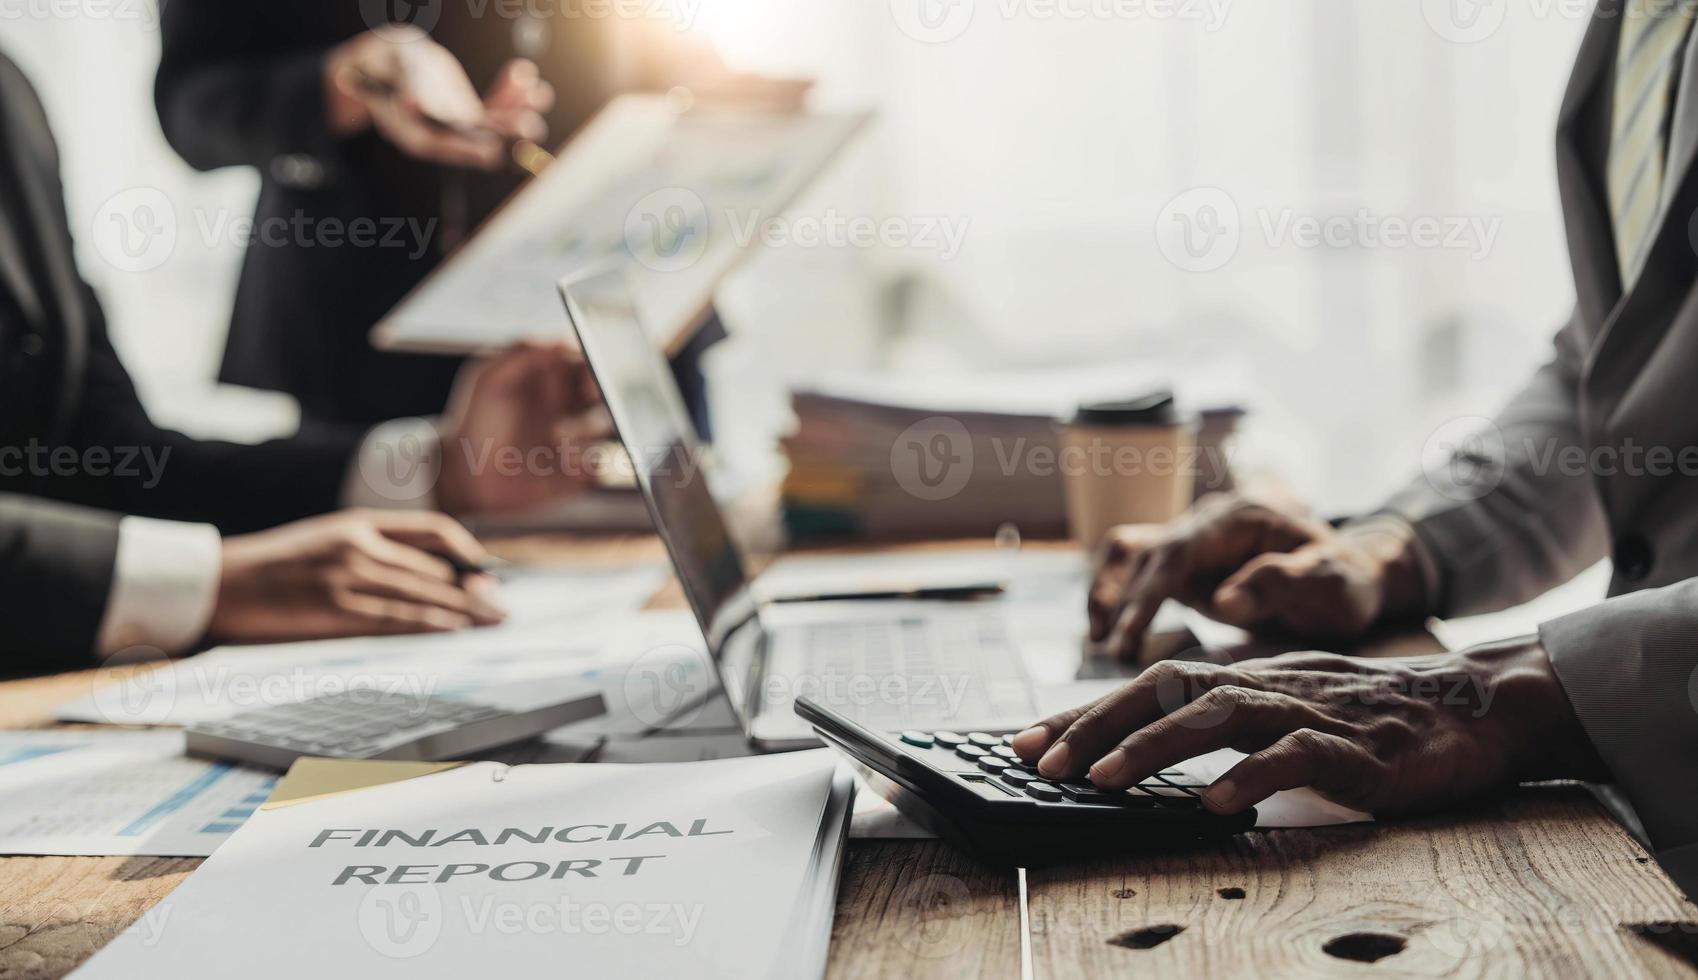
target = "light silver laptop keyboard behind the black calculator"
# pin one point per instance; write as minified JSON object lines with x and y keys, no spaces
{"x":914,"y":672}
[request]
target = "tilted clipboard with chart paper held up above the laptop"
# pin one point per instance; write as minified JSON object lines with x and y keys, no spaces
{"x":680,"y":194}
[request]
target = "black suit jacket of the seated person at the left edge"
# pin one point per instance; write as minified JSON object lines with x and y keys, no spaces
{"x":74,"y":432}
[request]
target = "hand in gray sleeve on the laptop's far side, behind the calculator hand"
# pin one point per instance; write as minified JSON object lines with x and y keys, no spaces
{"x":1256,"y":568}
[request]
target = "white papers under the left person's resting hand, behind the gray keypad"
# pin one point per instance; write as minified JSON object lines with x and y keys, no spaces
{"x":559,"y":622}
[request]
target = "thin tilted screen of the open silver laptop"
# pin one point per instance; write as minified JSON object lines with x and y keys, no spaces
{"x":655,"y":425}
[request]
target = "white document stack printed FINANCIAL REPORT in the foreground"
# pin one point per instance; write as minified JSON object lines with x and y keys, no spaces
{"x":704,"y":870}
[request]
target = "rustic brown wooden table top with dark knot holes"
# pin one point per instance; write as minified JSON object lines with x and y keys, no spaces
{"x":1541,"y":882}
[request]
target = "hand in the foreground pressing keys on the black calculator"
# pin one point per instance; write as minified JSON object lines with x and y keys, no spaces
{"x":1378,"y":736}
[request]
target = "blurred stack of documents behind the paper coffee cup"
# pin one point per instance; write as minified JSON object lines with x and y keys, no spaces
{"x":904,"y":456}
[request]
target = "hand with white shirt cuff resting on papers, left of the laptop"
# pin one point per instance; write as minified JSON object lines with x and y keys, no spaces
{"x":349,"y":575}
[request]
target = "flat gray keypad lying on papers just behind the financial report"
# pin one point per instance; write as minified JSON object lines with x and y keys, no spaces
{"x":349,"y":724}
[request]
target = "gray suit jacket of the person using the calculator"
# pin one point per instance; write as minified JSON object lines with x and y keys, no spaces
{"x":1599,"y":456}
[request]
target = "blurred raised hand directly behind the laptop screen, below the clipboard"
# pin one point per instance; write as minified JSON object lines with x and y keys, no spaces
{"x":517,"y":431}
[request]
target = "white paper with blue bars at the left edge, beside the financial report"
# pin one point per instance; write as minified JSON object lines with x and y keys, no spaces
{"x":91,"y":792}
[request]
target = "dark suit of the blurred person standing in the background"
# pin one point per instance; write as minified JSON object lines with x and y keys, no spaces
{"x":242,"y":84}
